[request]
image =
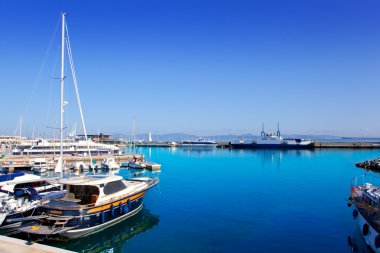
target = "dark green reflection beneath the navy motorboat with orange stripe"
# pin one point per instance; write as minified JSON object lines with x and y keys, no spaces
{"x":113,"y":238}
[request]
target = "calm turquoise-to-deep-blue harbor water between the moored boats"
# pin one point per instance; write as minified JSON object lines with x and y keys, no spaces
{"x":215,"y":200}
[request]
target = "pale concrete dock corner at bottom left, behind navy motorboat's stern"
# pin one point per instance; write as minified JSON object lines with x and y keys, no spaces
{"x":11,"y":245}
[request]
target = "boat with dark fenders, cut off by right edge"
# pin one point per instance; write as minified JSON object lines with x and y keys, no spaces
{"x":366,"y":201}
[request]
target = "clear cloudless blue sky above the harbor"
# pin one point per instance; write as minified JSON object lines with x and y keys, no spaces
{"x":200,"y":67}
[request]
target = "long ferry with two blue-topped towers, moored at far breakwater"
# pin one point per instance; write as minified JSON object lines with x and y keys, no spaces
{"x":272,"y":140}
